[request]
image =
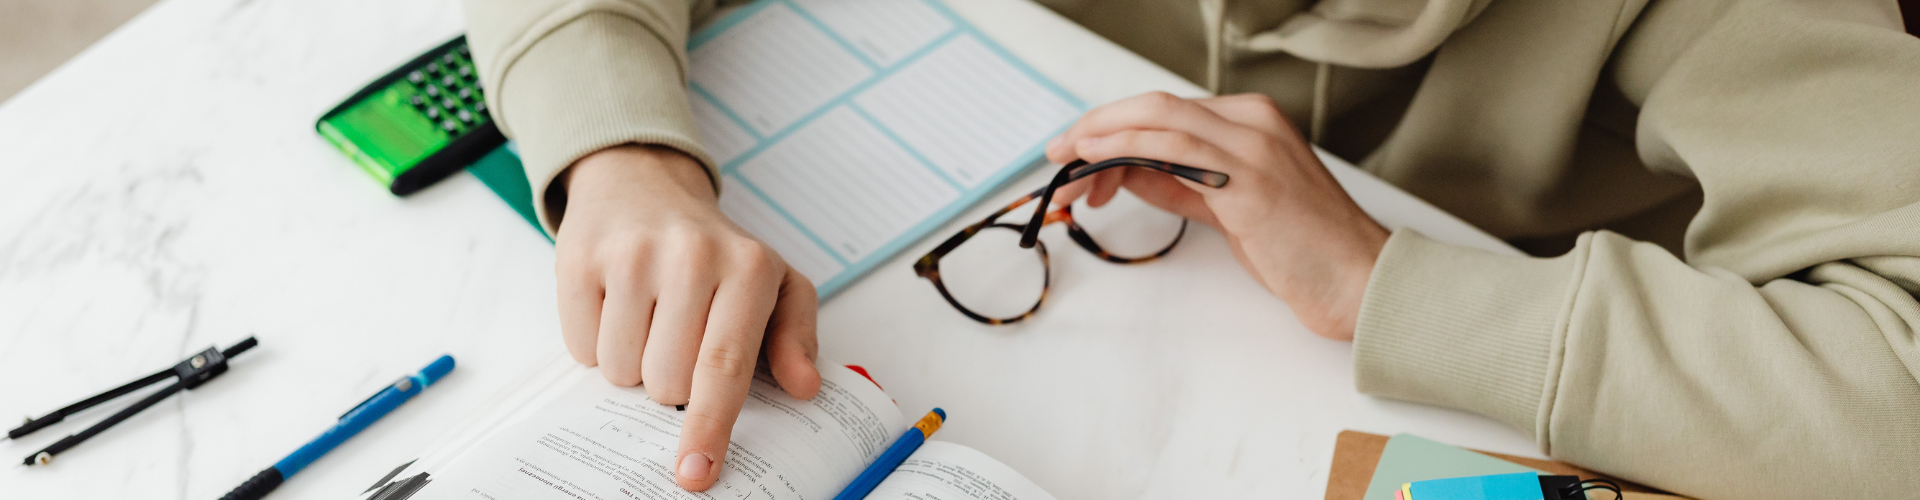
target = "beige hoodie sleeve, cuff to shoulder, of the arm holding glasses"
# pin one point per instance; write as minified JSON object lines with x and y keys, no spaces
{"x":1777,"y":361}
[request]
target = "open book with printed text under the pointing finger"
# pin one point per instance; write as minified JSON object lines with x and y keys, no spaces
{"x":569,"y":434}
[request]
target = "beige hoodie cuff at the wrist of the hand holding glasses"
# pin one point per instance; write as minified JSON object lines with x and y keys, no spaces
{"x":1466,"y":330}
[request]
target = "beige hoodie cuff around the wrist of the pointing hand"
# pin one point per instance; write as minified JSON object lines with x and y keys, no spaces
{"x":588,"y":86}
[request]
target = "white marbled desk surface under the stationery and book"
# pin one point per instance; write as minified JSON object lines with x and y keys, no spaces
{"x":166,"y":191}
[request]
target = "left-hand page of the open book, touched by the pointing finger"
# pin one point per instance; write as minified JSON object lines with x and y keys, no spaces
{"x":604,"y":441}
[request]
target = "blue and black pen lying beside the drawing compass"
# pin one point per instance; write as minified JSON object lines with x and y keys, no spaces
{"x":348,"y":426}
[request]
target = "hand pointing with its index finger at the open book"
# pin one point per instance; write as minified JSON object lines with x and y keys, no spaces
{"x":661,"y":289}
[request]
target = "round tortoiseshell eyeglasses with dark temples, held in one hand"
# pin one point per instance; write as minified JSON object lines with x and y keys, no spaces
{"x":994,"y":261}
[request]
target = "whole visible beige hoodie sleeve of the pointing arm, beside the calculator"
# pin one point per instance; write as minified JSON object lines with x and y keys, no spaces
{"x":569,"y":78}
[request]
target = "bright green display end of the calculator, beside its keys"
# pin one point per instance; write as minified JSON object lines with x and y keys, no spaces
{"x":385,"y":134}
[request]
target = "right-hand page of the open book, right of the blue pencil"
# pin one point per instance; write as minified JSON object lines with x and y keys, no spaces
{"x":953,"y":472}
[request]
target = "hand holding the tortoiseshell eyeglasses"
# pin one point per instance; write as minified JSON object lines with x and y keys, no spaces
{"x":1285,"y":218}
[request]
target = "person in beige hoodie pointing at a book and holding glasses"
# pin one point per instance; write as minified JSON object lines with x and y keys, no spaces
{"x":1733,"y":191}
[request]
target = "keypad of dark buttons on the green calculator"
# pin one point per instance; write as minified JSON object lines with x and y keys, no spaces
{"x":448,"y":93}
